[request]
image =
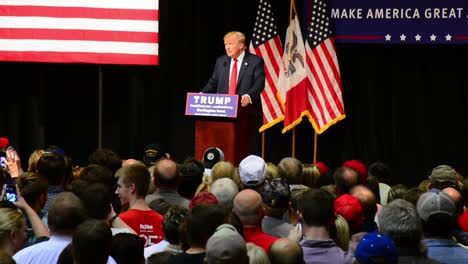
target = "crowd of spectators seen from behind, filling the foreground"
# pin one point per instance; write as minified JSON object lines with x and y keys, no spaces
{"x":156,"y":210}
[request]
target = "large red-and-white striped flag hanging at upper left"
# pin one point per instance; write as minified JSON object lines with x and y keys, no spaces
{"x":80,"y":31}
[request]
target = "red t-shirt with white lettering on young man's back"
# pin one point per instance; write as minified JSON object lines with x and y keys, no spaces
{"x":147,"y":224}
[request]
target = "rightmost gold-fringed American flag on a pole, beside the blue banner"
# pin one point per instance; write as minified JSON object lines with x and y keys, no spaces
{"x":325,"y":93}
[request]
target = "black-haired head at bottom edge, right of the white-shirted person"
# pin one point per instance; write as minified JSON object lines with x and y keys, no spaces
{"x":91,"y":242}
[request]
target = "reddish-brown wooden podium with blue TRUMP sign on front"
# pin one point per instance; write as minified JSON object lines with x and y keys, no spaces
{"x":230,"y":134}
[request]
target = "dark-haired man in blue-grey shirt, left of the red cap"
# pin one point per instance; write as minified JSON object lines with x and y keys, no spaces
{"x":317,"y":214}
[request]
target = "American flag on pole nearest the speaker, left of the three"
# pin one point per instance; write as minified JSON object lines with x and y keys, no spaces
{"x":267,"y":44}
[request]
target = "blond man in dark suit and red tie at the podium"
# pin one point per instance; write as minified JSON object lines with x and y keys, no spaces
{"x":237,"y":72}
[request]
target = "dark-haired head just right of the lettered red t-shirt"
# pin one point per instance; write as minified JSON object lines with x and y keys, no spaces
{"x":172,"y":221}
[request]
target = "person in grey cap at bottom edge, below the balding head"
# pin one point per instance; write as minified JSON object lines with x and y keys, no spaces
{"x":226,"y":246}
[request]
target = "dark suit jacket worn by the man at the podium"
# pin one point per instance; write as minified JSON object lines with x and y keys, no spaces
{"x":251,"y":79}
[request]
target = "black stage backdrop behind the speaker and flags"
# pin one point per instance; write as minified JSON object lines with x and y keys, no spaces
{"x":405,"y":105}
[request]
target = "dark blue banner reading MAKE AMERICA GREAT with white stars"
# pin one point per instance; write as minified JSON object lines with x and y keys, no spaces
{"x":400,"y":21}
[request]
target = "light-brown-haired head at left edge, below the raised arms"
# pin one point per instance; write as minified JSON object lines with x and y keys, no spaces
{"x":12,"y":225}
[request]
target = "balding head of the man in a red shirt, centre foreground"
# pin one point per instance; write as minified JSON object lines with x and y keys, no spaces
{"x":248,"y":207}
